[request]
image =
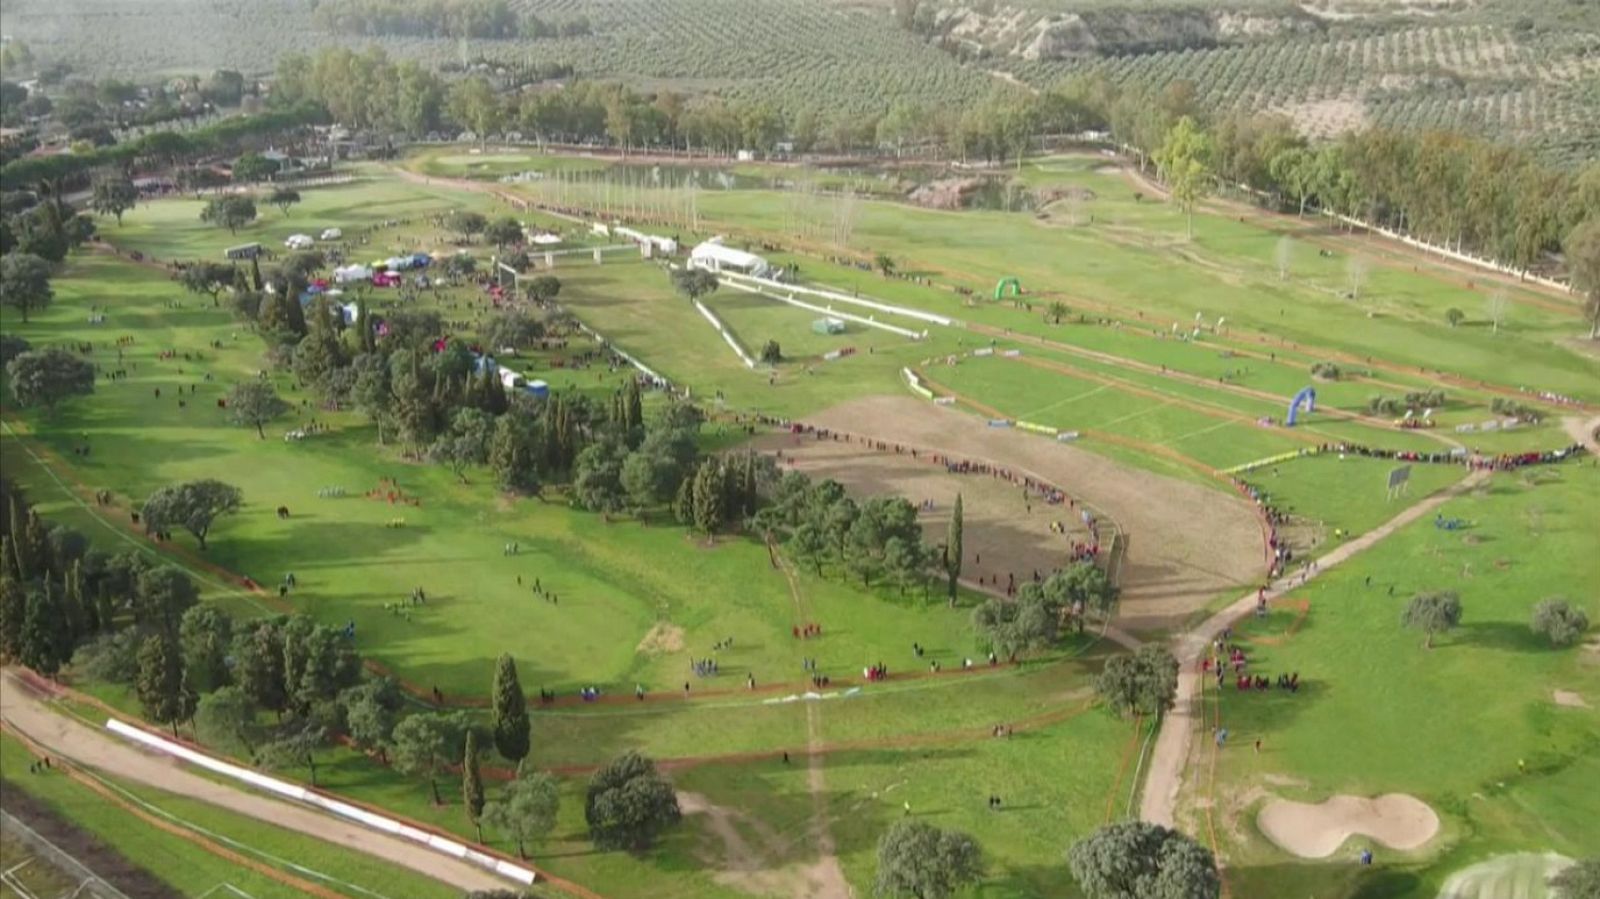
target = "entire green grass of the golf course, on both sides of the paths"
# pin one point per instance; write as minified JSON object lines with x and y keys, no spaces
{"x":638,"y":602}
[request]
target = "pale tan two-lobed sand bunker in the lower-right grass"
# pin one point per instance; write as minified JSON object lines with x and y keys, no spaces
{"x":1318,"y":831}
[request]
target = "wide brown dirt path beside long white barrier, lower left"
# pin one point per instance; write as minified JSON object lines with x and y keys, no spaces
{"x":26,"y":713}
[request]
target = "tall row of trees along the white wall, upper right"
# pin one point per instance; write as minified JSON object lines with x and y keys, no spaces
{"x":1446,"y":188}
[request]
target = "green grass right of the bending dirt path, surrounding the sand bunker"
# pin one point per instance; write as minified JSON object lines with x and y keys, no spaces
{"x":1450,"y":725}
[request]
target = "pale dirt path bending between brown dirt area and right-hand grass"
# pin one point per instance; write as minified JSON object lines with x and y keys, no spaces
{"x":1178,"y":727}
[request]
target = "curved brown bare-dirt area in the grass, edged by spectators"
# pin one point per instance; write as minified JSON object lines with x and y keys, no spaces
{"x":1188,"y":543}
